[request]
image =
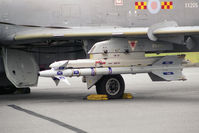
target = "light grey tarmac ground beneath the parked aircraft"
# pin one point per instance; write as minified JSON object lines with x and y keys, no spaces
{"x":157,"y":107}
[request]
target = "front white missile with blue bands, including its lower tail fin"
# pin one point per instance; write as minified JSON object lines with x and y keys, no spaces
{"x":165,"y":73}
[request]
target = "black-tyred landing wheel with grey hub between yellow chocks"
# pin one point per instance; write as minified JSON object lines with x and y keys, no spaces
{"x":111,"y":85}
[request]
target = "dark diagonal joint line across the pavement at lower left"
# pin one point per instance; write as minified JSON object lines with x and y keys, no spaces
{"x":77,"y":130}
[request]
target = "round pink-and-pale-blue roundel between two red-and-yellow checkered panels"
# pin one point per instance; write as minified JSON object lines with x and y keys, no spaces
{"x":154,"y":6}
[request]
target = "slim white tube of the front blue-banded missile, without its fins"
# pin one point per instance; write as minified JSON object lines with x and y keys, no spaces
{"x":101,"y":71}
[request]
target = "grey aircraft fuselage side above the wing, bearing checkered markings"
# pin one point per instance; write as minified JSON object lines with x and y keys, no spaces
{"x":83,"y":13}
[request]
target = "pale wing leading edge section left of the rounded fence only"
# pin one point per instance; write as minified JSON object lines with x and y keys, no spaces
{"x":81,"y":32}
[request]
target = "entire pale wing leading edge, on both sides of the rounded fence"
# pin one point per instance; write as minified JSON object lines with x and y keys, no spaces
{"x":90,"y":32}
